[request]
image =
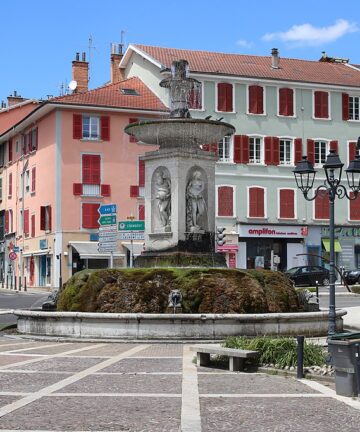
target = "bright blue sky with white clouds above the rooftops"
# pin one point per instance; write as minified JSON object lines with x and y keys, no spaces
{"x":39,"y":38}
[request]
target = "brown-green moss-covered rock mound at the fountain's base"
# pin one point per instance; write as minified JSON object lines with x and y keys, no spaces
{"x":212,"y":290}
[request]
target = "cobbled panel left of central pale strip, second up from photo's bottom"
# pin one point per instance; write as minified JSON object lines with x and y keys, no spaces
{"x":126,"y":384}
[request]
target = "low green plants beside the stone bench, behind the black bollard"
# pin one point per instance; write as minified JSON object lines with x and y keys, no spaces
{"x":281,"y":351}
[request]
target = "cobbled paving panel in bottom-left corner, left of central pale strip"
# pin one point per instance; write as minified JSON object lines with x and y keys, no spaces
{"x":128,"y":414}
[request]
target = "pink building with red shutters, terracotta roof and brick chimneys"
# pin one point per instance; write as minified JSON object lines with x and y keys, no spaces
{"x":60,"y":162}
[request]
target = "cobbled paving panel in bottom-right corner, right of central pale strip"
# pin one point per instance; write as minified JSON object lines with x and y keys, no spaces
{"x":277,"y":414}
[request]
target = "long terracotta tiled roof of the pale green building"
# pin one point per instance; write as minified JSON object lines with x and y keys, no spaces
{"x":257,"y":66}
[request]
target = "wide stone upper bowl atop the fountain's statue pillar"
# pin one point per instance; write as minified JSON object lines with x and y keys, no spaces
{"x":179,"y":132}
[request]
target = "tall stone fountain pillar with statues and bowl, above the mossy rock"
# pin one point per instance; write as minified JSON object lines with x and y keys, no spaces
{"x":179,"y":181}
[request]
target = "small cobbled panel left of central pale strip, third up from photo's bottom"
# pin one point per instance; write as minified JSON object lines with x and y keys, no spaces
{"x":146,"y":365}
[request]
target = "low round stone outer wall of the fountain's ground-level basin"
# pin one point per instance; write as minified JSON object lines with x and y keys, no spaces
{"x":173,"y":326}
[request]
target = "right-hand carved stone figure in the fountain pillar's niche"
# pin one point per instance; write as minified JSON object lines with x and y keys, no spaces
{"x":195,"y":203}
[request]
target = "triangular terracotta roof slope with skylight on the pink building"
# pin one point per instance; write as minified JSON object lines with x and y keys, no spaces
{"x":111,"y":96}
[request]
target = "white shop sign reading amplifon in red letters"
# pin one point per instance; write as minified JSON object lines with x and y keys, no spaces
{"x":273,"y":231}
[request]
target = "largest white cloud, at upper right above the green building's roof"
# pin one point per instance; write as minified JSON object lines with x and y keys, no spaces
{"x":308,"y":35}
